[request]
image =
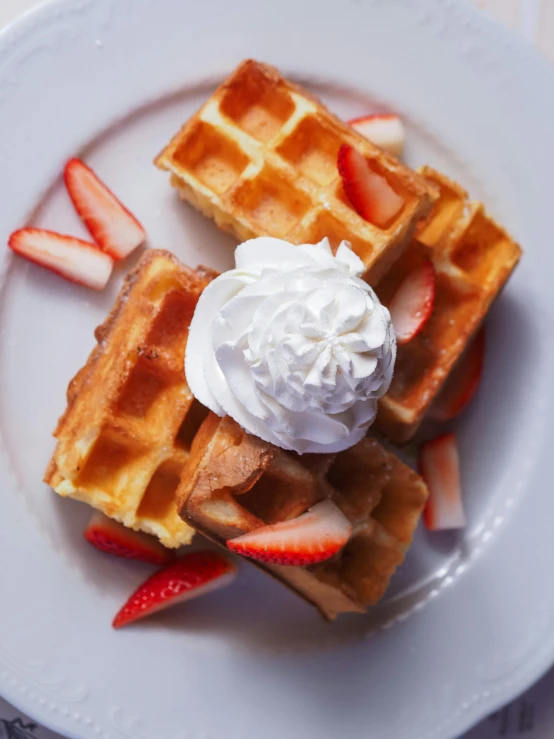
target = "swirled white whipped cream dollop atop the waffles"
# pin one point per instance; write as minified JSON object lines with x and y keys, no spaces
{"x":293,"y":345}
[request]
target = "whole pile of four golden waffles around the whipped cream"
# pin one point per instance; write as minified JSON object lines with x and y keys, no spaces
{"x":260,"y":158}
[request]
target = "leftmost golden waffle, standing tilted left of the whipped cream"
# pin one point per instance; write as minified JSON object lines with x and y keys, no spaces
{"x":131,"y":418}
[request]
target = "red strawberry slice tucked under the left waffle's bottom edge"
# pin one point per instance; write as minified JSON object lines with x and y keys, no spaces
{"x":114,"y":538}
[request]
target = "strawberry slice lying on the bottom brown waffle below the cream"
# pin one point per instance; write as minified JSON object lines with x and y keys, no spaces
{"x":312,"y":537}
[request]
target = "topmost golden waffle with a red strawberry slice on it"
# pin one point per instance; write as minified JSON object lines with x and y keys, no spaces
{"x":260,"y":158}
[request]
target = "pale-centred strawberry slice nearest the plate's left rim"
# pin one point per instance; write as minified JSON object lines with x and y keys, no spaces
{"x":73,"y":259}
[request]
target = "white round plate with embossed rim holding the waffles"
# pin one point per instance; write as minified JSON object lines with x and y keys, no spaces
{"x":469,"y":621}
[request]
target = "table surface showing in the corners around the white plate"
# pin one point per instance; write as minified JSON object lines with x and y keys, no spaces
{"x":532,"y":715}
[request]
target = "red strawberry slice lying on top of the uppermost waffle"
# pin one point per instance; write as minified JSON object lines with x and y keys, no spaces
{"x":369,"y":193}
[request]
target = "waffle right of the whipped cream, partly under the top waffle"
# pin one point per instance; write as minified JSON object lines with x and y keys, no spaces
{"x":473,"y":257}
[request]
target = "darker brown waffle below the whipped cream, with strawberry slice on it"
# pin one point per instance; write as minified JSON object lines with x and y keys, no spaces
{"x":234,"y":482}
